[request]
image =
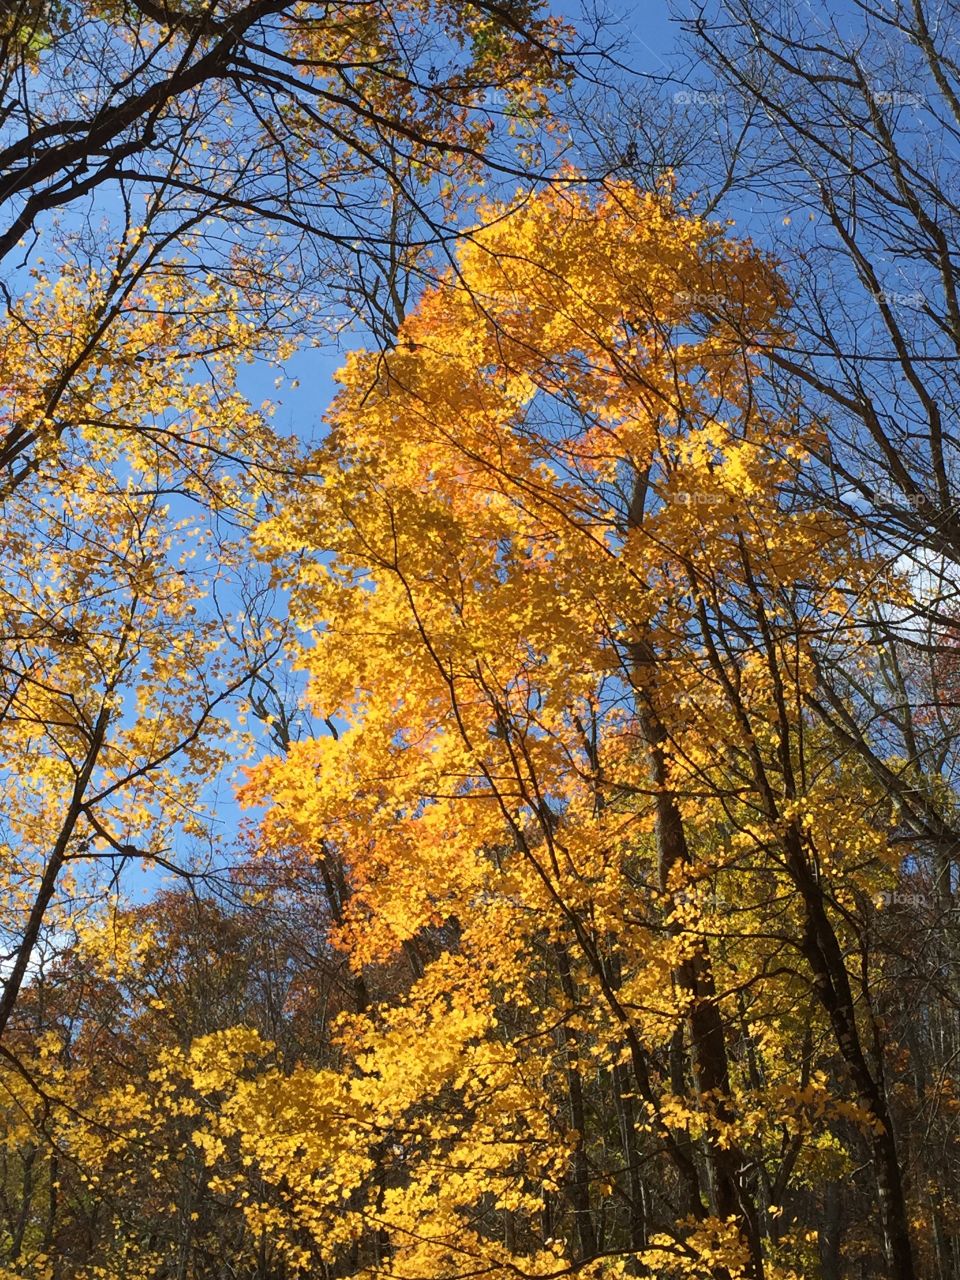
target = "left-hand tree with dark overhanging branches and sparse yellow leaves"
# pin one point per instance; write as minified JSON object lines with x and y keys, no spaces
{"x":185,"y":164}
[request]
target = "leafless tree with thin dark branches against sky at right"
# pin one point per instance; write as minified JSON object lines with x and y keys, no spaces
{"x":840,"y":138}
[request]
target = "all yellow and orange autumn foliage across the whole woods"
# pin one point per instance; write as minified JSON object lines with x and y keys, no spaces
{"x":573,"y":943}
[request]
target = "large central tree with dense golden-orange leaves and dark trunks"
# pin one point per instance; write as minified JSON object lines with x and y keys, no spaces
{"x":574,"y":621}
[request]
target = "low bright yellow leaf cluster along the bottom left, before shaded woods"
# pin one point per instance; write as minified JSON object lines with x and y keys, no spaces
{"x":318,"y":1153}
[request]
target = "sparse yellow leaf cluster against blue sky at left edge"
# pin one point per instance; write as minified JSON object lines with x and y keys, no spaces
{"x":132,"y":469}
